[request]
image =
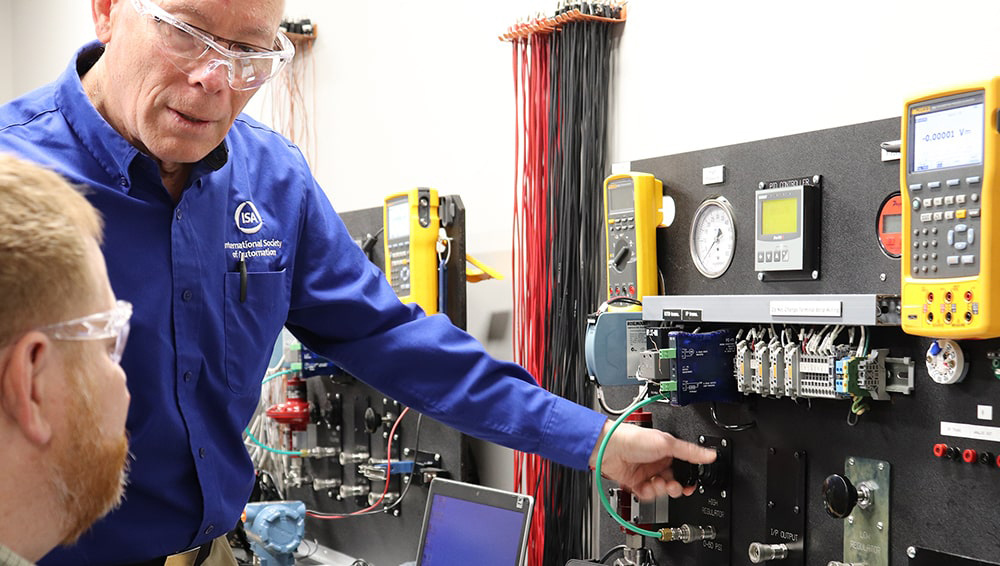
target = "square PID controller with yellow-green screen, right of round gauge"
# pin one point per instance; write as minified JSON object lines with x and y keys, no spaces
{"x":786,"y":243}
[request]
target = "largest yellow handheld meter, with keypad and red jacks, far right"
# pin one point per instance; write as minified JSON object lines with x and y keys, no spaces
{"x":948,"y":178}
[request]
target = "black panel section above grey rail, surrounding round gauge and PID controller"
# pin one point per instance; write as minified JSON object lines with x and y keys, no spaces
{"x":855,"y":182}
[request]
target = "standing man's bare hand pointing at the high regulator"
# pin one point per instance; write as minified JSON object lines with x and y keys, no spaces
{"x":639,"y":459}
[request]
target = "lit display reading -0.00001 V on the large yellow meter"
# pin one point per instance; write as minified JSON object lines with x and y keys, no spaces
{"x":952,"y":137}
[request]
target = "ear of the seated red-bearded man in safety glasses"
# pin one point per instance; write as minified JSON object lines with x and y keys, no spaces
{"x":26,"y":383}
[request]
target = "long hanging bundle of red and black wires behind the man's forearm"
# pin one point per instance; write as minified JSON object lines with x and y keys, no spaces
{"x":561,"y":86}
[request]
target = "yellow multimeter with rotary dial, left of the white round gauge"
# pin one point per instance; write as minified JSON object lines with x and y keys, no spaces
{"x":632,"y":203}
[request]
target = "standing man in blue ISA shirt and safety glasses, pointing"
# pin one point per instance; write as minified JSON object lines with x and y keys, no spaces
{"x":149,"y":118}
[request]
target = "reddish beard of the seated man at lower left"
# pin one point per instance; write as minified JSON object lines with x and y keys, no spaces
{"x":90,"y":470}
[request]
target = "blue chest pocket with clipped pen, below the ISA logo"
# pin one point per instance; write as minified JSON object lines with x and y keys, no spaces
{"x":252,"y":326}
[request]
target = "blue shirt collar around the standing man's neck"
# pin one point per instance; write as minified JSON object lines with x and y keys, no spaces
{"x":106,"y":145}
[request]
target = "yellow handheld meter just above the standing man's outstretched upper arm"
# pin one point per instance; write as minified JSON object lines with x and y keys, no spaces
{"x":410,"y":221}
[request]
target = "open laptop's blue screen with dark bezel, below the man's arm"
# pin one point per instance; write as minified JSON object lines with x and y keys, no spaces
{"x":469,"y":524}
